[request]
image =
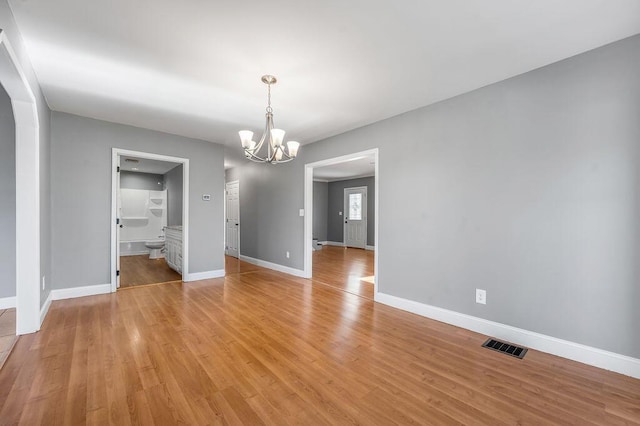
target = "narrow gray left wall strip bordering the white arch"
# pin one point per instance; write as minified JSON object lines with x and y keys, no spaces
{"x":10,"y":29}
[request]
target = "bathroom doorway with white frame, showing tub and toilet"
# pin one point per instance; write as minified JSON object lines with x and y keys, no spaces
{"x":150,"y":205}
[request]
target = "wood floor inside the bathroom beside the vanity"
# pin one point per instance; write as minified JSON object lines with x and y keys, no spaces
{"x":140,"y":270}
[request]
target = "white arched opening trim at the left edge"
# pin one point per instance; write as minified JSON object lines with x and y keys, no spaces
{"x":25,"y":115}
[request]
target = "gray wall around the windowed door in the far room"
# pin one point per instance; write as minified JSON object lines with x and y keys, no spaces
{"x":336,"y":205}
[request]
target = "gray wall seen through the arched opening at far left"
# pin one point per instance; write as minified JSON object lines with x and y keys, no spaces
{"x":7,"y":197}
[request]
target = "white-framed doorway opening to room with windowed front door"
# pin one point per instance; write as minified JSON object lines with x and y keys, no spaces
{"x":330,"y":256}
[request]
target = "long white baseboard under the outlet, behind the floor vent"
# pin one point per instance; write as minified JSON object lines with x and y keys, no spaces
{"x":575,"y":351}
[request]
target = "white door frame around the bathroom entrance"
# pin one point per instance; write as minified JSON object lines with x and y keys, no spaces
{"x":115,"y":154}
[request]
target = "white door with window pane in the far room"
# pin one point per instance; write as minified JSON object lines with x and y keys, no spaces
{"x":355,"y":217}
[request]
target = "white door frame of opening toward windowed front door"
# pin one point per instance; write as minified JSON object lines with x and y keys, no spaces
{"x":308,"y":208}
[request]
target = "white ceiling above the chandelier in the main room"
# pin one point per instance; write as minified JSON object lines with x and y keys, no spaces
{"x":193,"y":67}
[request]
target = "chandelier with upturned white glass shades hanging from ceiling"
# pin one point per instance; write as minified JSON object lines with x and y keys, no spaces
{"x":276,"y":152}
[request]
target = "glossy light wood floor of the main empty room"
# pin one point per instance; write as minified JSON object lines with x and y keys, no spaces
{"x":262,"y":347}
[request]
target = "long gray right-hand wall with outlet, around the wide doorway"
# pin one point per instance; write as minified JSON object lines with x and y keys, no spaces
{"x":527,"y":188}
